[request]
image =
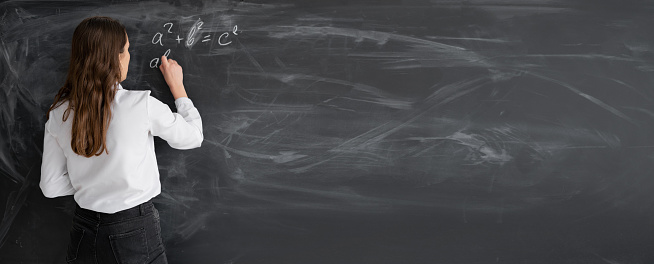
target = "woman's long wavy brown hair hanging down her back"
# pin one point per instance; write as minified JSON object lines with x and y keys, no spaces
{"x":90,"y":85}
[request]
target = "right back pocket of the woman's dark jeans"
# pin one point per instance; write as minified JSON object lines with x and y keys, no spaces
{"x":130,"y":247}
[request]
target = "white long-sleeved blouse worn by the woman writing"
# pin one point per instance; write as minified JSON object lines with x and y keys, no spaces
{"x":128,"y":175}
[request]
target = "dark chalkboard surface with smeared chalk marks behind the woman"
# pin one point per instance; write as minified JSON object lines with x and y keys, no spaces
{"x":480,"y":131}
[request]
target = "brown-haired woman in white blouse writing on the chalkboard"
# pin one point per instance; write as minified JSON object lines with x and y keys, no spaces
{"x":98,"y":146}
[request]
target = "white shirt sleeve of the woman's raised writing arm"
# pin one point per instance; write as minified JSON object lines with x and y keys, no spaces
{"x":182,"y":130}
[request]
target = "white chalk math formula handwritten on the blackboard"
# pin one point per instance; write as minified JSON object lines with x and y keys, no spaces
{"x":196,"y":33}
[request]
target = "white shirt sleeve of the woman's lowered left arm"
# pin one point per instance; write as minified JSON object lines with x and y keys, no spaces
{"x":54,"y":172}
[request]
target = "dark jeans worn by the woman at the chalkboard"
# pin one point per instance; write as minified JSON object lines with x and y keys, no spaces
{"x":127,"y":237}
